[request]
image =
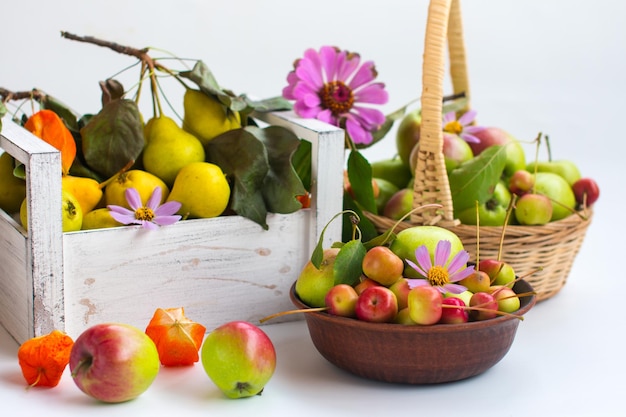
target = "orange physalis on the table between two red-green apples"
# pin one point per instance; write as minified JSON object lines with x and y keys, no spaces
{"x":177,"y":338}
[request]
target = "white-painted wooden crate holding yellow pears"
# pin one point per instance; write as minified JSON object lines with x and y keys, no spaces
{"x":220,"y":269}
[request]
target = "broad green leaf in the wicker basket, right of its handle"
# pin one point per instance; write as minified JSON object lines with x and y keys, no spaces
{"x":475,"y":180}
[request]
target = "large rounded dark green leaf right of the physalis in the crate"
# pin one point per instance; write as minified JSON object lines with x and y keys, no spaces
{"x":113,"y":137}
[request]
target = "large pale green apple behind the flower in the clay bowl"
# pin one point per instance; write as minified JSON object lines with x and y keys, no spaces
{"x":409,"y":239}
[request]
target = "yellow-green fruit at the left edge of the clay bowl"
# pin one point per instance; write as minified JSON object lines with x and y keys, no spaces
{"x":313,"y":284}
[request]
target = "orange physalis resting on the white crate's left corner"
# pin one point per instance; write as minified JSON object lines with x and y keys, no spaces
{"x":48,"y":126}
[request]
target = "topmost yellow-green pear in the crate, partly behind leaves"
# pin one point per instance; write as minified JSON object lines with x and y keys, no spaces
{"x":205,"y":117}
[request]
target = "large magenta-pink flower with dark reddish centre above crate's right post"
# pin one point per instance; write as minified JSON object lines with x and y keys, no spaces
{"x":332,"y":85}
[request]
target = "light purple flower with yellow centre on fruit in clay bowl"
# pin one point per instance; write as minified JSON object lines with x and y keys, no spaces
{"x":439,"y":275}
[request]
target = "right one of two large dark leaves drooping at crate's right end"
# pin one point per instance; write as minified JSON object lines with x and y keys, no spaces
{"x":282,"y":184}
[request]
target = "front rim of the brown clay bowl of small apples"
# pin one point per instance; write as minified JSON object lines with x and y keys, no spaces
{"x":527,"y":303}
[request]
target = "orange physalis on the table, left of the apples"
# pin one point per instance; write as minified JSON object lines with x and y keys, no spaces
{"x":44,"y":358}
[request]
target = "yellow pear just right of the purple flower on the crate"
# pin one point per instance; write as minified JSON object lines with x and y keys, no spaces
{"x":202,"y":189}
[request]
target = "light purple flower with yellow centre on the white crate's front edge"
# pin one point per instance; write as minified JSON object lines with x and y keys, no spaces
{"x":150,"y":216}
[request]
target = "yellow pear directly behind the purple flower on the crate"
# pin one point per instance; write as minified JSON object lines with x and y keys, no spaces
{"x":143,"y":181}
